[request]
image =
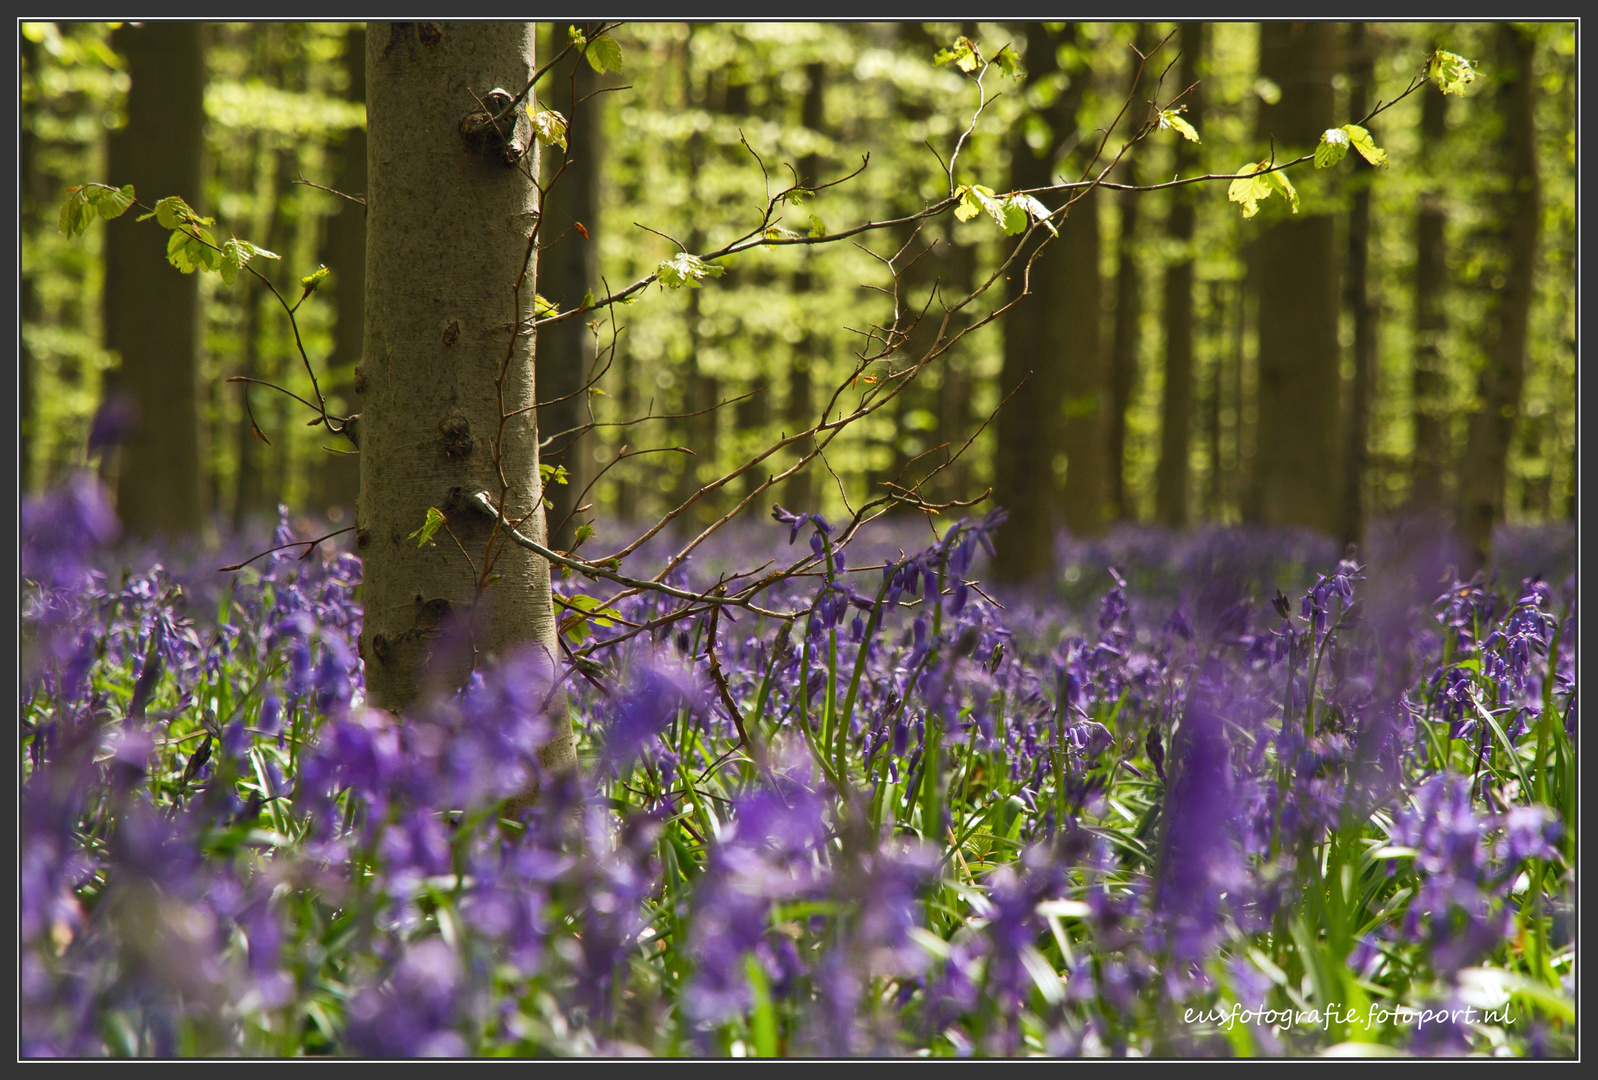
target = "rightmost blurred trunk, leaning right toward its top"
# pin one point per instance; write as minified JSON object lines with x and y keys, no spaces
{"x":1509,"y":312}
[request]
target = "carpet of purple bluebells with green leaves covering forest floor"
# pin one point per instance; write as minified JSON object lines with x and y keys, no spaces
{"x":1246,"y":800}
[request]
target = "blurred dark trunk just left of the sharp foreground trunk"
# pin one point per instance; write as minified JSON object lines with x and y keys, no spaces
{"x":340,"y":475}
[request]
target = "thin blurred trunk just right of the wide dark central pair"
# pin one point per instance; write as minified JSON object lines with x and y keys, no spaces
{"x":1129,"y":296}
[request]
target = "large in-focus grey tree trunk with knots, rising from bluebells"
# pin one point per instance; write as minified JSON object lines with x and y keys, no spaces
{"x":447,"y":245}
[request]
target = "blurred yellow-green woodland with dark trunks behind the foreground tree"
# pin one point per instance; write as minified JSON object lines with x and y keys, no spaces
{"x":1404,"y":346}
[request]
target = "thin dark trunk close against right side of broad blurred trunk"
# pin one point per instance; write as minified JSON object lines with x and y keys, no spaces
{"x":1358,"y":296}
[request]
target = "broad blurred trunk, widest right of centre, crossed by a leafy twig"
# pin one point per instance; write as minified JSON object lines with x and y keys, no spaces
{"x":1298,"y":418}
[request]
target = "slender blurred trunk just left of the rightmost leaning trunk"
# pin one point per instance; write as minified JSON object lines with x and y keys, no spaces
{"x":1433,"y":445}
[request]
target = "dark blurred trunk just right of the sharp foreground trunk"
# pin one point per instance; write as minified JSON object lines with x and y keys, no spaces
{"x":568,"y":271}
